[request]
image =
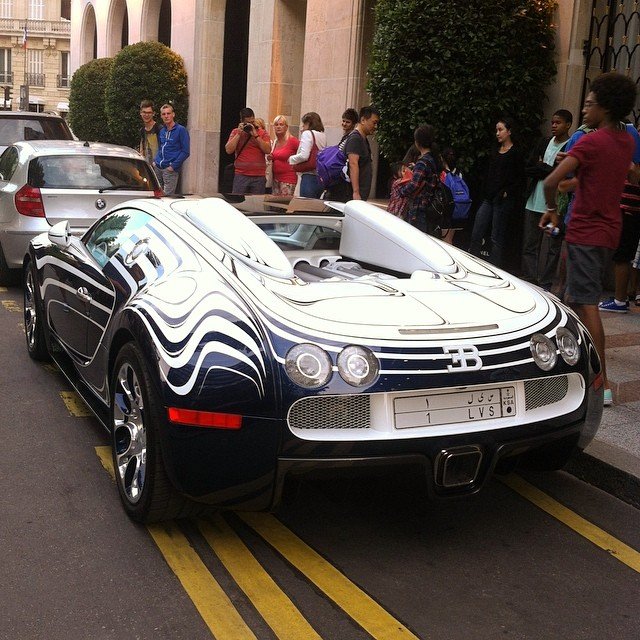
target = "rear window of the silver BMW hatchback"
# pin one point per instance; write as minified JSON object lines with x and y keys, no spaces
{"x":91,"y":172}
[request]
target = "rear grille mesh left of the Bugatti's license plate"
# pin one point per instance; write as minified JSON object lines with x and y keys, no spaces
{"x":331,"y":412}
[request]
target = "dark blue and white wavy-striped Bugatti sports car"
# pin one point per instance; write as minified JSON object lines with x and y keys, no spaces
{"x":223,"y":349}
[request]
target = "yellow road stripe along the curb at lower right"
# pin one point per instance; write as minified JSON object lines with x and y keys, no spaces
{"x":619,"y":550}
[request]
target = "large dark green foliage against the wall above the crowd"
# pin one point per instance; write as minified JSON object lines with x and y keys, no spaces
{"x":460,"y":65}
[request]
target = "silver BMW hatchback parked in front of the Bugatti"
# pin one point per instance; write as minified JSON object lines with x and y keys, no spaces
{"x":44,"y":182}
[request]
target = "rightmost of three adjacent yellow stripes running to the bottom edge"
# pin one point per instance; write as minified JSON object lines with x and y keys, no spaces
{"x":355,"y":603}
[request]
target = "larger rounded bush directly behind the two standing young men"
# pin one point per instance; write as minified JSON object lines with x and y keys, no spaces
{"x":145,"y":70}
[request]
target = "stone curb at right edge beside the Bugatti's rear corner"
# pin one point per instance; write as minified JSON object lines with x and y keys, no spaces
{"x":609,"y":468}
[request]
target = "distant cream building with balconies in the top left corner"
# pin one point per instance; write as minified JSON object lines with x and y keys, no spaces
{"x":35,"y":37}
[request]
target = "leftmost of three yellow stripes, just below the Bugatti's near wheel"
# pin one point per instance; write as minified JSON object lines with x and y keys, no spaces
{"x":207,"y":595}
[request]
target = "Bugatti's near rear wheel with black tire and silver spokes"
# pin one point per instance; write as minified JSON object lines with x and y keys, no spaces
{"x":136,"y":417}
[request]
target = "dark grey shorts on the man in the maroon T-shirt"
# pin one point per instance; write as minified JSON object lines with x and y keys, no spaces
{"x":586,"y":266}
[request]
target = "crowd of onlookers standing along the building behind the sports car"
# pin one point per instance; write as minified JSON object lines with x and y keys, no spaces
{"x":577,"y":197}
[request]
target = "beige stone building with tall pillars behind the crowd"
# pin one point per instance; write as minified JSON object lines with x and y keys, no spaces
{"x":292,"y":56}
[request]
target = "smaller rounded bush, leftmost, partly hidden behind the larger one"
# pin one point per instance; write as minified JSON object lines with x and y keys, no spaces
{"x":86,"y":101}
